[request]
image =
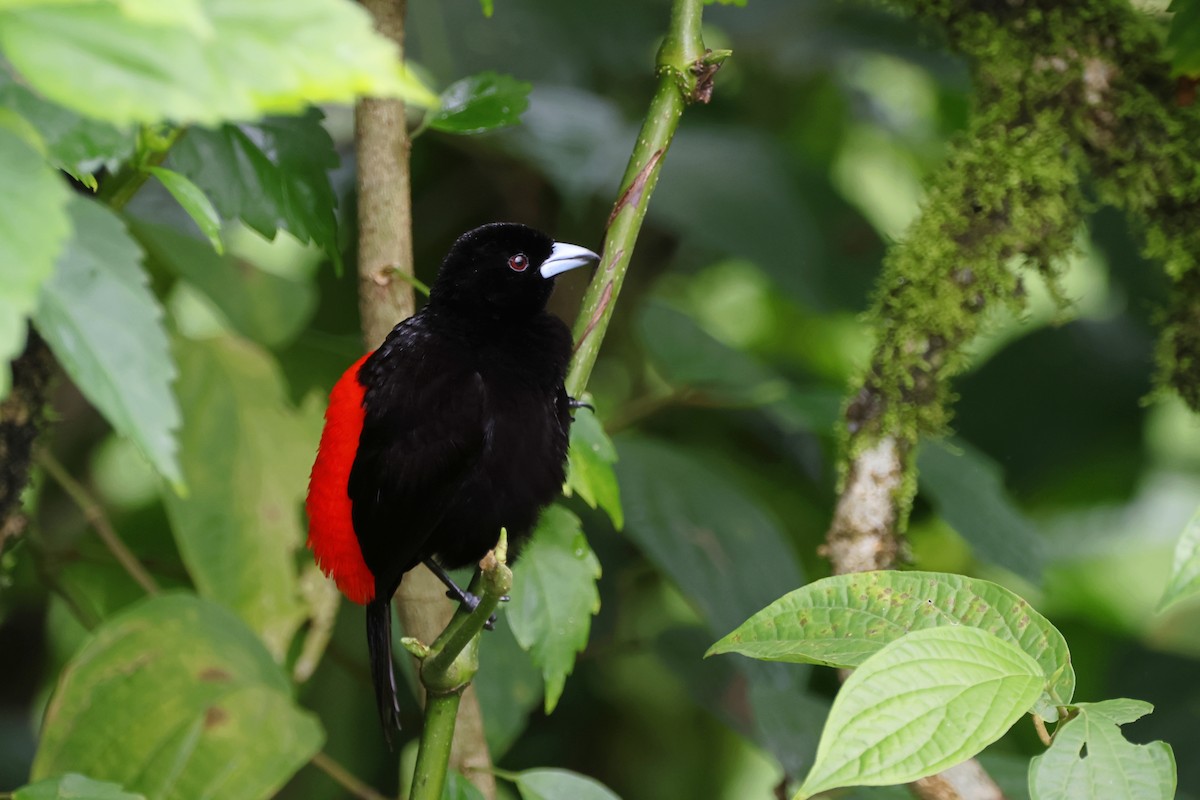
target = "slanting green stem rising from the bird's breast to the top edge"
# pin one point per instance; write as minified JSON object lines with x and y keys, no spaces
{"x":685,"y":68}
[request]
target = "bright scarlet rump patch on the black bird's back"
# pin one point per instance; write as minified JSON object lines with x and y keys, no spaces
{"x":331,"y":527}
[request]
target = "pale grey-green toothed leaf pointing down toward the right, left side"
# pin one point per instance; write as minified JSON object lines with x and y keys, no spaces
{"x":105,"y":327}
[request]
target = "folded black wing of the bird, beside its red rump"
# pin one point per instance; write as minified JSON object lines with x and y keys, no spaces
{"x":423,"y":434}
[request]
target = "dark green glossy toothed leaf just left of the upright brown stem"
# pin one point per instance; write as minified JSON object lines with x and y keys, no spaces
{"x":271,"y":176}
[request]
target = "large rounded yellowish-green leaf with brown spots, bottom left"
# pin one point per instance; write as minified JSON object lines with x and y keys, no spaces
{"x":177,"y":699}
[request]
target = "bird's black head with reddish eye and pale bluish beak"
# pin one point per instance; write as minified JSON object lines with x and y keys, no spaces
{"x":505,"y":270}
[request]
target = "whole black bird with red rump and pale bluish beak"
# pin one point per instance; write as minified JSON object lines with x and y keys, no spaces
{"x":455,"y":428}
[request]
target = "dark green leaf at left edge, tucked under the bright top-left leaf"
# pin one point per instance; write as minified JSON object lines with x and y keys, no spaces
{"x":75,"y":145}
